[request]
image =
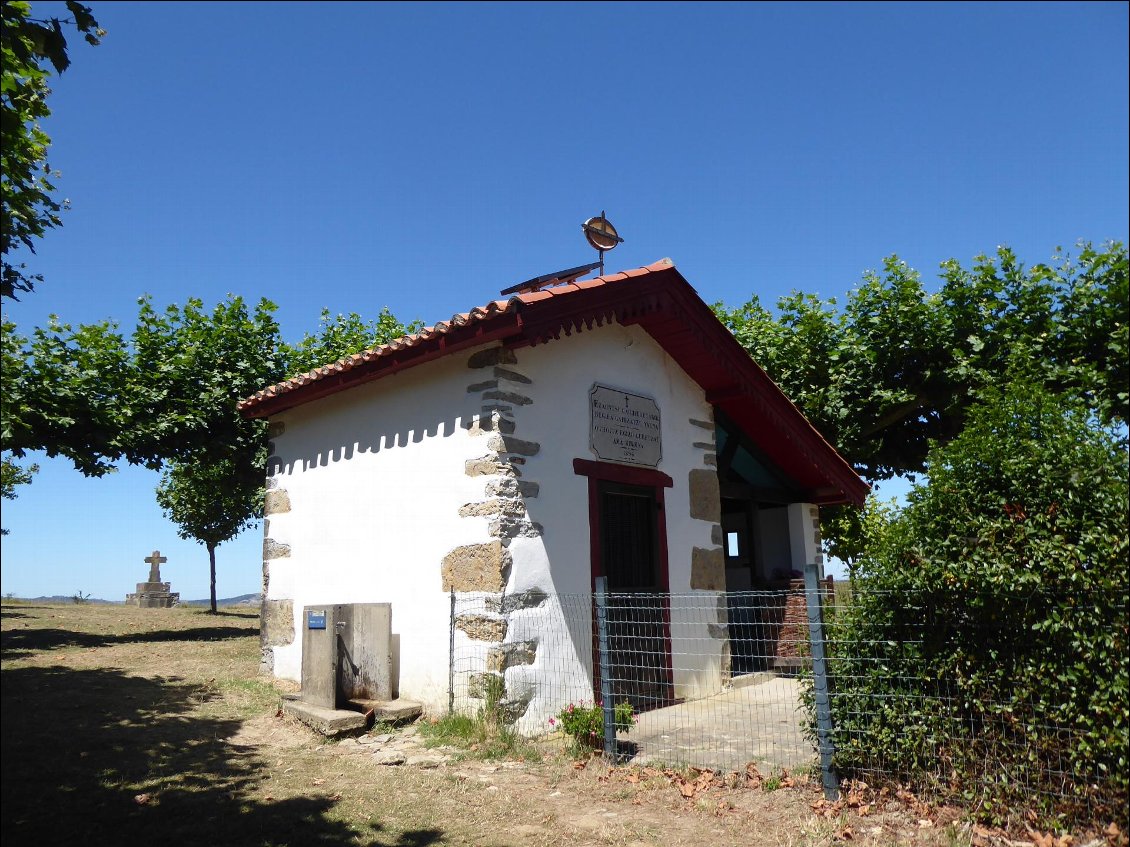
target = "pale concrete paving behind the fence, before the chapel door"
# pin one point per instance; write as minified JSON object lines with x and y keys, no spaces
{"x":758,"y":721}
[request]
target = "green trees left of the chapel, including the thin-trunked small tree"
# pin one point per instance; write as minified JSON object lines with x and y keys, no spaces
{"x":166,"y":398}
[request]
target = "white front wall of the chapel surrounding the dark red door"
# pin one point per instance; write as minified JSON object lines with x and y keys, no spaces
{"x":559,"y":563}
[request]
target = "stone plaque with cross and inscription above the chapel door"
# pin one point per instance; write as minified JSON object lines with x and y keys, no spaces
{"x":625,"y":427}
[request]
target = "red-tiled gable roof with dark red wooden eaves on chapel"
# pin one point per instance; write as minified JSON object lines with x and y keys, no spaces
{"x":656,"y":298}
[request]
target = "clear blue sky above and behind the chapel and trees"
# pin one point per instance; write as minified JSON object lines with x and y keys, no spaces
{"x":423,"y":158}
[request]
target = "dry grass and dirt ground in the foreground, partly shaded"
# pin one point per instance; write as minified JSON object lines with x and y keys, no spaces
{"x":141,"y":727}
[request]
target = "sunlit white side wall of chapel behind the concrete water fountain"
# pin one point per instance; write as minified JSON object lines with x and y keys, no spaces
{"x":375,"y":477}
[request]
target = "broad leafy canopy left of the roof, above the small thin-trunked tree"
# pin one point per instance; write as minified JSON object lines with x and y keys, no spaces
{"x":167,"y":392}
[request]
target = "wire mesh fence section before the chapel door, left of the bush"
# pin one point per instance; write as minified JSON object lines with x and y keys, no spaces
{"x":712,"y":679}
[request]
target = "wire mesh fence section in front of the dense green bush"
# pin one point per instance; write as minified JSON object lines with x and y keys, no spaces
{"x":1007,"y":703}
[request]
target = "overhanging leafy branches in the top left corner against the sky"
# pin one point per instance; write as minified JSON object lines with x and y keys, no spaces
{"x":29,"y":46}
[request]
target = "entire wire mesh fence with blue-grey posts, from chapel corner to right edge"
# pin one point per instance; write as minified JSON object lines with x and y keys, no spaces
{"x":949,"y":700}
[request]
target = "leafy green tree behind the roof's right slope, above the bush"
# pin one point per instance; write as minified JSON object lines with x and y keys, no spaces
{"x":900,"y":368}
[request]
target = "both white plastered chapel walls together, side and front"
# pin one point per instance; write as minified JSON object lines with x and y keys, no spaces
{"x":376,"y":478}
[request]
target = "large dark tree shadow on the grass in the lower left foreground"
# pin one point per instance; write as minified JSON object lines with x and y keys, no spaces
{"x":79,"y":744}
